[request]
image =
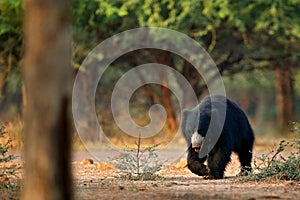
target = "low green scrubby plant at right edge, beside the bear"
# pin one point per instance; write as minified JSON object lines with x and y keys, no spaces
{"x":276,"y":166}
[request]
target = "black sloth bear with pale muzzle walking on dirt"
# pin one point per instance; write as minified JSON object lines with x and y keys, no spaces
{"x":236,"y":135}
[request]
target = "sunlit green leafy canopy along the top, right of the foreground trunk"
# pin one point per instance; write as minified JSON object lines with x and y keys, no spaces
{"x":243,"y":34}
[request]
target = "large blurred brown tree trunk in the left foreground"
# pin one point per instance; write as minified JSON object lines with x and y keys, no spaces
{"x":47,"y":74}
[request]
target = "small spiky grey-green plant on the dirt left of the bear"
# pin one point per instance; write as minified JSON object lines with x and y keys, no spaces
{"x":137,"y":164}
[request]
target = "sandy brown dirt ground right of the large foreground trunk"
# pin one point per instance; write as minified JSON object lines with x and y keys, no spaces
{"x":99,"y":181}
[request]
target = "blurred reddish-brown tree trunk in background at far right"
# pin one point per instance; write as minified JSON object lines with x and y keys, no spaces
{"x":284,"y":96}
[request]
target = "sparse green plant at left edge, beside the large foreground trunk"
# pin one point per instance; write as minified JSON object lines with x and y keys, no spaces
{"x":7,"y":170}
